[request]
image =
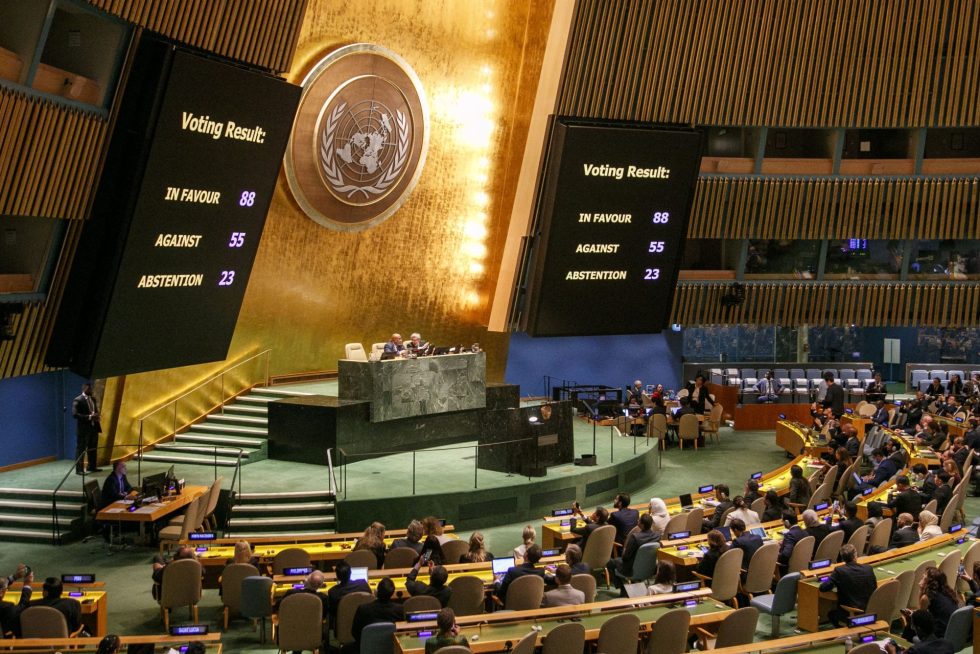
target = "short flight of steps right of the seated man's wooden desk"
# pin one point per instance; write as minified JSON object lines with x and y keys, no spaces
{"x":274,"y":514}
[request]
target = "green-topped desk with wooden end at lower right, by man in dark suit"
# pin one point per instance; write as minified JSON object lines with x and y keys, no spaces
{"x":813,"y":605}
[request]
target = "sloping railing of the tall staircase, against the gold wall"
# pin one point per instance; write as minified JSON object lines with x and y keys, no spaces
{"x":164,"y":422}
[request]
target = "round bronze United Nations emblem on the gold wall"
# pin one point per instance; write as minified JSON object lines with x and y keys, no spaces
{"x":359,"y":139}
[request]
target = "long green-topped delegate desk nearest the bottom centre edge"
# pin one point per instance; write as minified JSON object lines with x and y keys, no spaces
{"x":501,"y":631}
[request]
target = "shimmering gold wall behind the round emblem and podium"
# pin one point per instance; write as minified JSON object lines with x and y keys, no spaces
{"x":431,"y":267}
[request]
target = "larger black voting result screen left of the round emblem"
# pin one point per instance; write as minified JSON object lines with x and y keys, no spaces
{"x":185,"y":248}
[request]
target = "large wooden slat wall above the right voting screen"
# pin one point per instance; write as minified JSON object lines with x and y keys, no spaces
{"x":873,"y":63}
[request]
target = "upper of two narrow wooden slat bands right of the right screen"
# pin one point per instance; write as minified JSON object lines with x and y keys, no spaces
{"x":808,"y":208}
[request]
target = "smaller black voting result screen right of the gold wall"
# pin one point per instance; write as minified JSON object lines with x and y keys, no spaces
{"x":609,"y":229}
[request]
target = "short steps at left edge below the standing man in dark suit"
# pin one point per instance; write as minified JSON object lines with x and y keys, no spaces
{"x":26,"y":516}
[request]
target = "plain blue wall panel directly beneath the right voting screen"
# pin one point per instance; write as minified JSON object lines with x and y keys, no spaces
{"x":610,"y":360}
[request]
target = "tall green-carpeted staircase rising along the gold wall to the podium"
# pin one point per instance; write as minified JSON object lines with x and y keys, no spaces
{"x":240,"y":424}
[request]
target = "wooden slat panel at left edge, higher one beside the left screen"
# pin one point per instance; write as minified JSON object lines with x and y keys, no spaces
{"x":49,"y":157}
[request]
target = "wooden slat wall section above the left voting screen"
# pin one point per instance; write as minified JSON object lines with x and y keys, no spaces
{"x":258,"y":32}
